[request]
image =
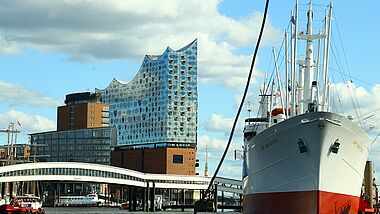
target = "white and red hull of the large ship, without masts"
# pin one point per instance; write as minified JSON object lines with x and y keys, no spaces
{"x":282,"y":179}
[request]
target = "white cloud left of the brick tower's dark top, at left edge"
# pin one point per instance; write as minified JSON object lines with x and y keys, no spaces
{"x":16,"y":94}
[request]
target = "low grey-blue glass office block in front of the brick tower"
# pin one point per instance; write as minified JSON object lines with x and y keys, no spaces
{"x":84,"y":145}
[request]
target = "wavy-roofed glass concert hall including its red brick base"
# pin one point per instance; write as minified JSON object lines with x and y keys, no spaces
{"x":155,"y":114}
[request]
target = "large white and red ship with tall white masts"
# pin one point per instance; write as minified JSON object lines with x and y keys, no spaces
{"x":299,"y":156}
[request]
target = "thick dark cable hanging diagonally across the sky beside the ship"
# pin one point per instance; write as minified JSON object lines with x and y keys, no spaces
{"x":240,"y":107}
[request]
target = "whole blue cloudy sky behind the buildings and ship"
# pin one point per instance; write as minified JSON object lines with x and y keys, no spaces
{"x":52,"y":48}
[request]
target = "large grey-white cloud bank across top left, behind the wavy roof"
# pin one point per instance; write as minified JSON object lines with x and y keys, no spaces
{"x":122,"y":29}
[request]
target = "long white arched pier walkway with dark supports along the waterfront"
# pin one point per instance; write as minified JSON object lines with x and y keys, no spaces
{"x":141,"y":191}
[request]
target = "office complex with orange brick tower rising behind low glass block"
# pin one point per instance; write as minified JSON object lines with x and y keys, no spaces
{"x":83,"y":132}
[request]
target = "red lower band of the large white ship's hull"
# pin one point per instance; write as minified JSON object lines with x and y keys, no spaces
{"x":305,"y":202}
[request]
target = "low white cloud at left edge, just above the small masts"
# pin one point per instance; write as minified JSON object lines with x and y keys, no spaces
{"x":29,"y":123}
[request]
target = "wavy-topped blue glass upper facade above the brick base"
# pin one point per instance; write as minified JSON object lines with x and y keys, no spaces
{"x":160,"y":104}
